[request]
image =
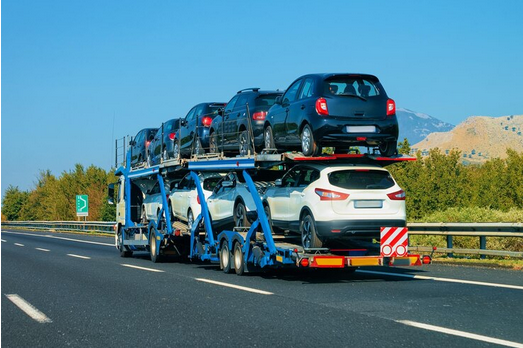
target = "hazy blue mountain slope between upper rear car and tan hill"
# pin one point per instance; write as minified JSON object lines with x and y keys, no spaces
{"x":415,"y":126}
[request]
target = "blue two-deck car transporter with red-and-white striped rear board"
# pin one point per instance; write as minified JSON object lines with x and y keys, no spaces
{"x":243,"y":249}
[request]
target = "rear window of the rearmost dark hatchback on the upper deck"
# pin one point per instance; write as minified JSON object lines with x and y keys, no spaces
{"x":350,"y":85}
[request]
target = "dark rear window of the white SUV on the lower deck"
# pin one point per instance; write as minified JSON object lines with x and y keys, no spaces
{"x":361,"y":179}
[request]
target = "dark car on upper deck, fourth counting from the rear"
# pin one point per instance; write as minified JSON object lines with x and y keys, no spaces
{"x":163,"y":146}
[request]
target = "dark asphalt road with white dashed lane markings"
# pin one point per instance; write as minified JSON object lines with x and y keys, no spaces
{"x":76,"y":290}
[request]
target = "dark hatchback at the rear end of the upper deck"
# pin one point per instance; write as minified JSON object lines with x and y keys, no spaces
{"x":338,"y":110}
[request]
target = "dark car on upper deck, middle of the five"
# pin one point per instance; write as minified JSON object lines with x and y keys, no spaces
{"x":193,"y":136}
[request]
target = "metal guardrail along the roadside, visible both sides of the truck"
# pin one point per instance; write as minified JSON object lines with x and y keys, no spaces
{"x":450,"y":230}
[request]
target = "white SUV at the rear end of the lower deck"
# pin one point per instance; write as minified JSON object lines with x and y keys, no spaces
{"x":326,"y":202}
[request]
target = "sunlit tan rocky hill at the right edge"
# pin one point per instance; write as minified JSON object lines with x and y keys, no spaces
{"x":478,"y":138}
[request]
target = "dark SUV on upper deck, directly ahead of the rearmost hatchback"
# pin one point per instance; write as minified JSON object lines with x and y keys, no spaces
{"x":246,"y":110}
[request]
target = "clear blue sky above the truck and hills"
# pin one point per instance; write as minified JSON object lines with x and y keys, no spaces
{"x":77,"y":74}
